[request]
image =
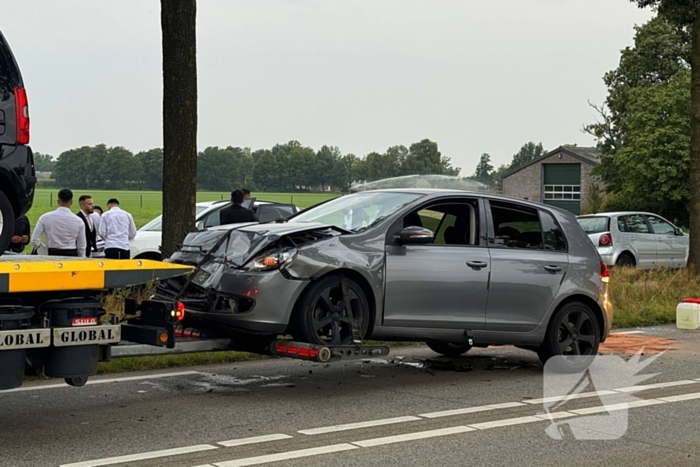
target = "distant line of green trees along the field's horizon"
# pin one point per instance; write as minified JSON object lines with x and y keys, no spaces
{"x":285,"y":167}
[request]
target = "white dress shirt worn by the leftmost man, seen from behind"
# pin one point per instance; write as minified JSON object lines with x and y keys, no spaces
{"x":63,"y":230}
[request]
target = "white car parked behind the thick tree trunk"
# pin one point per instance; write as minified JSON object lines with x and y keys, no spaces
{"x":147,"y":243}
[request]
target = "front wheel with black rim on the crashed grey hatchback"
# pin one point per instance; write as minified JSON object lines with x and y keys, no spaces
{"x":319,"y":317}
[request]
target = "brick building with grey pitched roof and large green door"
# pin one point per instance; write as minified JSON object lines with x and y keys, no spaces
{"x":561,"y":178}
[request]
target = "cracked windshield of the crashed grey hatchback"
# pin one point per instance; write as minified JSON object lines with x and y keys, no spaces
{"x":358,"y":211}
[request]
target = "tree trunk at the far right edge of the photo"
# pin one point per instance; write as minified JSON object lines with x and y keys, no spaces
{"x":694,"y":255}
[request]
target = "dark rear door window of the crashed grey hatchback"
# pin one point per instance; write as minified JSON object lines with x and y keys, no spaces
{"x":516,"y":226}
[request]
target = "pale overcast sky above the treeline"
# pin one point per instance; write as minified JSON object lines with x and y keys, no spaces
{"x":475,"y":76}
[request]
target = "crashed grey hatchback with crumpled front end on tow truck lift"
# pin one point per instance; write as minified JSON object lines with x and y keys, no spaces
{"x":439,"y":266}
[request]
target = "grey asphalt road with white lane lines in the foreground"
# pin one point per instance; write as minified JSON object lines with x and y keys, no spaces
{"x":413,"y":408}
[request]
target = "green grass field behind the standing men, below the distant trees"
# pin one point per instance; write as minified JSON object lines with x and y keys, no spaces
{"x":145,"y":205}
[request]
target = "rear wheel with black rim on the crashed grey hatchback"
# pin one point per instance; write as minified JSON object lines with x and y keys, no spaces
{"x":573,"y":332}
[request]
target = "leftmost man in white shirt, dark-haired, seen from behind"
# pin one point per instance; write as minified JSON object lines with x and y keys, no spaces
{"x":64,"y":231}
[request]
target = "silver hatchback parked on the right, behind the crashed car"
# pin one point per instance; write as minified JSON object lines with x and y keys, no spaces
{"x":638,"y":239}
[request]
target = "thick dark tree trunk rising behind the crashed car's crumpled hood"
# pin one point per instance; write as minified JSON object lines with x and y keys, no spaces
{"x":178,"y":23}
